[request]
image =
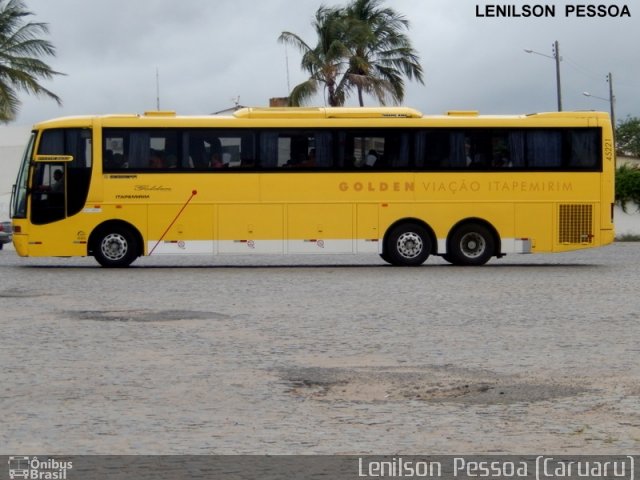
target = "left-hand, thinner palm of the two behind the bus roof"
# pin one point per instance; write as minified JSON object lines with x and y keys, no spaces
{"x":325,"y":61}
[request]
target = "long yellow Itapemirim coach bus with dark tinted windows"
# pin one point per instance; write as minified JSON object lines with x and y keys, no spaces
{"x":386,"y":181}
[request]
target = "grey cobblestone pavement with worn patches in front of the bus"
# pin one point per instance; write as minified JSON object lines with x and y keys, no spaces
{"x":321,"y":355}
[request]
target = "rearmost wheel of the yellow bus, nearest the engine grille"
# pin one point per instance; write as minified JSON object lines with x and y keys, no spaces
{"x":470,"y":244}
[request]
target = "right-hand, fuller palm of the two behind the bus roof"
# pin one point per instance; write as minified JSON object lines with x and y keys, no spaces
{"x":380,"y":52}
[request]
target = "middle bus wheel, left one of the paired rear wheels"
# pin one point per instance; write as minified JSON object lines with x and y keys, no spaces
{"x":408,"y":245}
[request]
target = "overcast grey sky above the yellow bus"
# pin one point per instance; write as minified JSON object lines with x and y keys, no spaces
{"x":211,"y":54}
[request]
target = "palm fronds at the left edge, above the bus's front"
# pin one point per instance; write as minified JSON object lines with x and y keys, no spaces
{"x":20,"y":52}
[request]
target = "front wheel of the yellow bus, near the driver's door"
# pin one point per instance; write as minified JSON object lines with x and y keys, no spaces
{"x":115,"y":247}
